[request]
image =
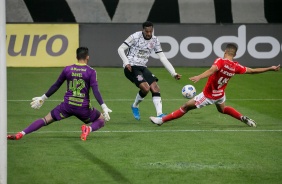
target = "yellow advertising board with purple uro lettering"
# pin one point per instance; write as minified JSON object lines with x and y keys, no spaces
{"x":41,"y":45}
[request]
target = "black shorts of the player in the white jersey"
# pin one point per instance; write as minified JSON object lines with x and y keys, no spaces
{"x":140,"y":74}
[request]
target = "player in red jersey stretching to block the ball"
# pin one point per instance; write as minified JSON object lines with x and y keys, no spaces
{"x":218,"y":76}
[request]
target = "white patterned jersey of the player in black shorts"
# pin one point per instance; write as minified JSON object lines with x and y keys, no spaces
{"x":140,"y":49}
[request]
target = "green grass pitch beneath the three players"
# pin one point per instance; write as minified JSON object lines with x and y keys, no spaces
{"x":204,"y":146}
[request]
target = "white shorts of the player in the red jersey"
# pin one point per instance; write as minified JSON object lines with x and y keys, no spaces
{"x":202,"y":101}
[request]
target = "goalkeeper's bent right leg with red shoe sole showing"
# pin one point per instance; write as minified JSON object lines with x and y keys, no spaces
{"x":94,"y":118}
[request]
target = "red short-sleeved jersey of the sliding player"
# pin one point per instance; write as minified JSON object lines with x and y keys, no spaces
{"x":217,"y":82}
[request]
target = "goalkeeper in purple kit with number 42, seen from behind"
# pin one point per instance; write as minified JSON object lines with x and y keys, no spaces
{"x":80,"y":78}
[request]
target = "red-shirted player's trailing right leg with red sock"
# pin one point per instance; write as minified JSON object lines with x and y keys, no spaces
{"x":222,"y":108}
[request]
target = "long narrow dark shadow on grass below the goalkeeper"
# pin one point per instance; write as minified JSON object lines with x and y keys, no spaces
{"x":115,"y":174}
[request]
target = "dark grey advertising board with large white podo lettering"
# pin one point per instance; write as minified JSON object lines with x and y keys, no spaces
{"x":188,"y":44}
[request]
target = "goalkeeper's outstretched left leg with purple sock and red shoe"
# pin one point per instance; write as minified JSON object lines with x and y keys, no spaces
{"x":37,"y":124}
